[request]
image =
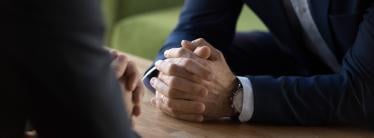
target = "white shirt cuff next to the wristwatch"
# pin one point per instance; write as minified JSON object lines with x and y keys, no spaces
{"x":248,"y":106}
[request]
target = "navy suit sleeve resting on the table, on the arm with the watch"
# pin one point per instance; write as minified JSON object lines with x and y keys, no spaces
{"x":346,"y":97}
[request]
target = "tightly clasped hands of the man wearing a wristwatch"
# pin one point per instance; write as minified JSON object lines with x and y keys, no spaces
{"x":194,"y":82}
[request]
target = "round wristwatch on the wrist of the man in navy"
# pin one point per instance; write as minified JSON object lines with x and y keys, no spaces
{"x":237,"y":98}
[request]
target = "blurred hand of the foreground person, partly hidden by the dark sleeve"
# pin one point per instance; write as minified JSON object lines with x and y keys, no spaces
{"x":128,"y":76}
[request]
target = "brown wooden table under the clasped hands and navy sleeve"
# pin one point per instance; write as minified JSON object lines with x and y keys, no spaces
{"x":154,"y":124}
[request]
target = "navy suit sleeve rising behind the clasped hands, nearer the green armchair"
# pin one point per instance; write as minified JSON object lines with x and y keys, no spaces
{"x":213,"y":20}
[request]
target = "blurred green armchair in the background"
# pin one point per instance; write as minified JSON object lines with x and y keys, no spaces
{"x":140,"y":27}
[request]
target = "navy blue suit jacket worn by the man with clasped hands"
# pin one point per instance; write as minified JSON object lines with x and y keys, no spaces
{"x":345,"y":97}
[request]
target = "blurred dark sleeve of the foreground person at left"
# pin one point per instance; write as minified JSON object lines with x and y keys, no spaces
{"x":56,"y":73}
